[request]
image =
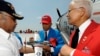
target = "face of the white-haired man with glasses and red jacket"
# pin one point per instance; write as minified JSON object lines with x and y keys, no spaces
{"x":74,"y":14}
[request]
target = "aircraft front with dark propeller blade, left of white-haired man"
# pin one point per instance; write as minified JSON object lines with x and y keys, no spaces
{"x":63,"y":26}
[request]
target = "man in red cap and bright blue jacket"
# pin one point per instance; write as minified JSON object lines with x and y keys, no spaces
{"x":51,"y":35}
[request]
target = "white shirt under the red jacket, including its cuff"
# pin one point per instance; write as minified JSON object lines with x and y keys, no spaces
{"x":82,"y":28}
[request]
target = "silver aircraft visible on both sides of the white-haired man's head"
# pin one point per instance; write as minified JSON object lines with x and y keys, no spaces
{"x":65,"y":28}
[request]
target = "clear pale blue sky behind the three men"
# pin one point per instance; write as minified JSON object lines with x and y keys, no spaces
{"x":33,"y":10}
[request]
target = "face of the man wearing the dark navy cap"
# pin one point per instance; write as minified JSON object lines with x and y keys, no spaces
{"x":8,"y":22}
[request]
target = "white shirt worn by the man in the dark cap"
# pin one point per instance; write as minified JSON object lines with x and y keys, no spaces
{"x":8,"y":44}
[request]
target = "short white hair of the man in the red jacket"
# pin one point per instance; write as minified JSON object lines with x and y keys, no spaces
{"x":87,"y":4}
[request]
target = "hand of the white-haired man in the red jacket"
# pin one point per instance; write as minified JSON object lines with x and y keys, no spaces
{"x":65,"y":50}
